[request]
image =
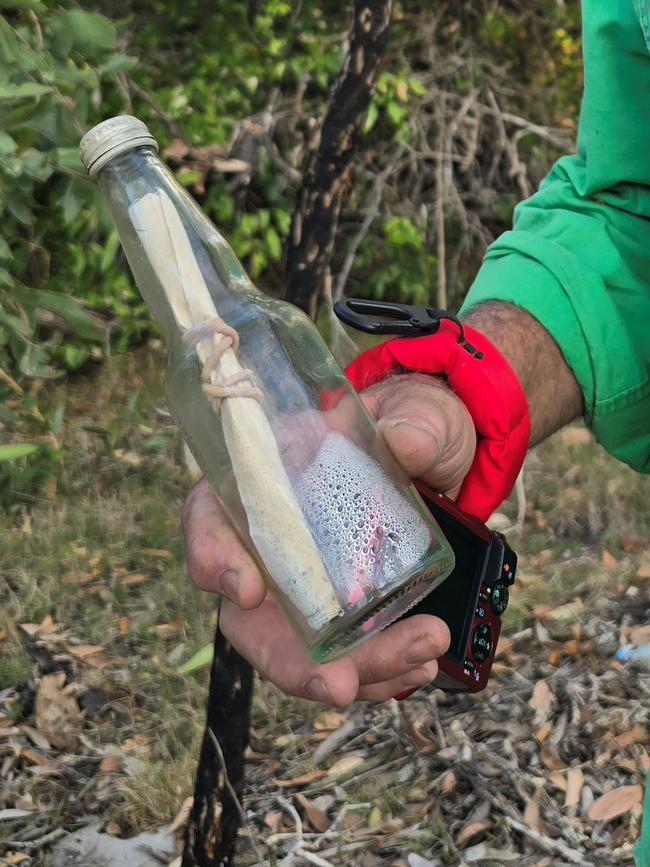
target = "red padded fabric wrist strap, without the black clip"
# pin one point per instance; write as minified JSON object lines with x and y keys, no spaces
{"x":488,"y":387}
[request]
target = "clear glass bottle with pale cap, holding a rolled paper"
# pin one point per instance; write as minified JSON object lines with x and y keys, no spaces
{"x":341,"y":535}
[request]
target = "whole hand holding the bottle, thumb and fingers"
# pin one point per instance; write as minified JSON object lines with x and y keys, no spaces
{"x":432,"y":435}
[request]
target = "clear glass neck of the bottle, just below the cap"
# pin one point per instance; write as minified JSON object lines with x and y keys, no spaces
{"x":183,"y":267}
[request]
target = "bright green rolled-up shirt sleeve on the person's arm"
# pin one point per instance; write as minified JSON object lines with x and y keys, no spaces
{"x":578,"y":257}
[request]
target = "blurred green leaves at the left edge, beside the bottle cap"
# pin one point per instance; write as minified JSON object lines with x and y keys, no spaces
{"x":53,"y":65}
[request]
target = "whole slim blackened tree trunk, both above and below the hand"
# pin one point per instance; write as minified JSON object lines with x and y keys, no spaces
{"x":216,"y":817}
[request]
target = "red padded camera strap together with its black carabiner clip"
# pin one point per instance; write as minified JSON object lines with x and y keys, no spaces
{"x":475,"y":370}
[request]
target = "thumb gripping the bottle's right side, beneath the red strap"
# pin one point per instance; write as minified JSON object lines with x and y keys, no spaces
{"x":426,"y":426}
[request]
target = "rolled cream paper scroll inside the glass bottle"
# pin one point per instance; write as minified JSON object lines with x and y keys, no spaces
{"x":276,"y":523}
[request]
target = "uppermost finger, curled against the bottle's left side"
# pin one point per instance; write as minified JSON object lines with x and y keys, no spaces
{"x":216,"y":559}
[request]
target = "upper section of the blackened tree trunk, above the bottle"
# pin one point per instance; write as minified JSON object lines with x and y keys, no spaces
{"x":327,"y":174}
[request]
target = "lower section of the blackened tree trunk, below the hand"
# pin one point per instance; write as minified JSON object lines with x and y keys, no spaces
{"x":215,"y":819}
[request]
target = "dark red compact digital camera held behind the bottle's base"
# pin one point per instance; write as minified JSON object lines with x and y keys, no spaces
{"x":472,"y":599}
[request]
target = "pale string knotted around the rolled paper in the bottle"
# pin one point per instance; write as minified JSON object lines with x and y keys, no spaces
{"x":223,"y":337}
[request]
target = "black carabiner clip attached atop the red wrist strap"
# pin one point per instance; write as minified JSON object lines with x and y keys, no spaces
{"x":406,"y":320}
